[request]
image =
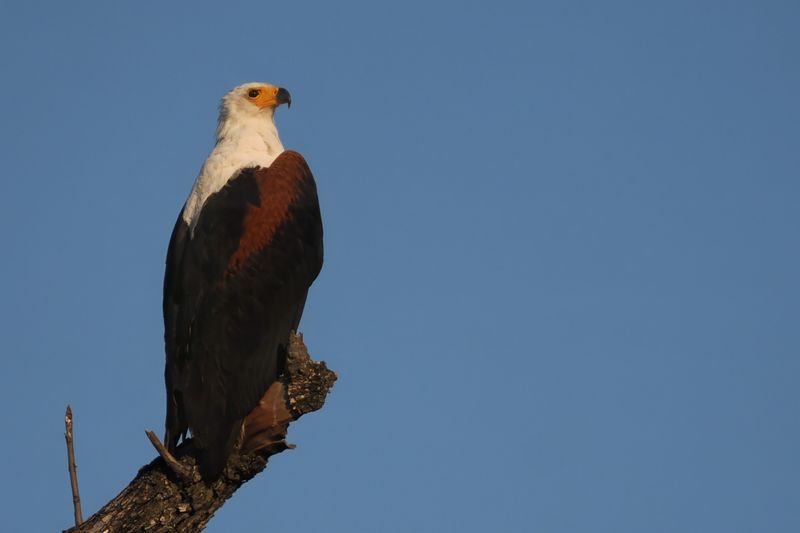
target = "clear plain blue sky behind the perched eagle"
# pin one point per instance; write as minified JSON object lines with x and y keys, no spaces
{"x":562,"y":268}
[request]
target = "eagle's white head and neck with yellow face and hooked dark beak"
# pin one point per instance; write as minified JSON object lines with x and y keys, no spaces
{"x":246,"y":137}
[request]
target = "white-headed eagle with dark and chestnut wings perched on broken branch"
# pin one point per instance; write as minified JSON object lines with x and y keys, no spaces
{"x":244,"y":251}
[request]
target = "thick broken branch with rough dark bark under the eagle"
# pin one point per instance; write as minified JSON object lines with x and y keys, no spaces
{"x":158,"y":500}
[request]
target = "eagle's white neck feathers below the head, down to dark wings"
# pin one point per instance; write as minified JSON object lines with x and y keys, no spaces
{"x":243,"y":140}
